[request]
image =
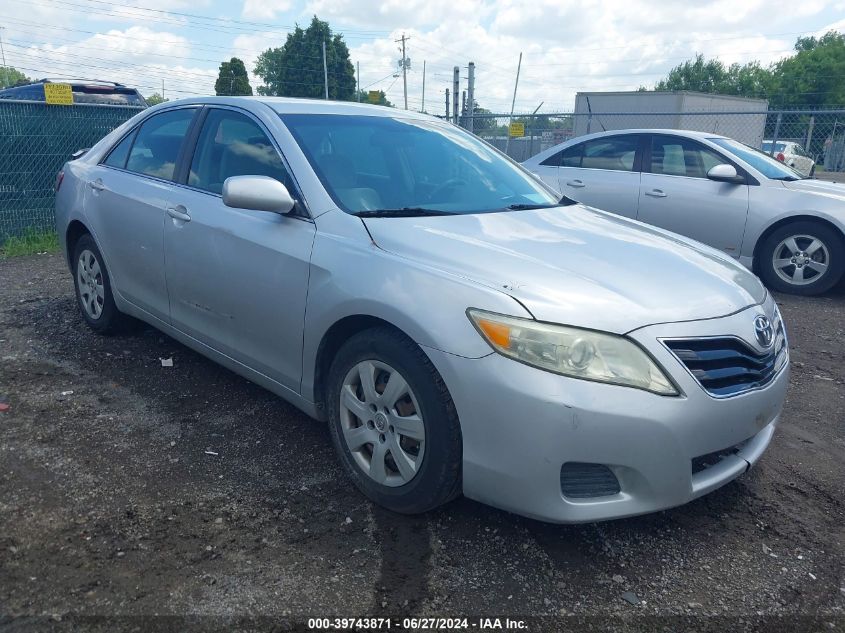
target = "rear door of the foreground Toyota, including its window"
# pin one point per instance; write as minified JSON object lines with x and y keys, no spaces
{"x":126,"y":198}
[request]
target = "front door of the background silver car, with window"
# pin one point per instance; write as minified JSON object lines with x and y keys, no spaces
{"x":675,"y":193}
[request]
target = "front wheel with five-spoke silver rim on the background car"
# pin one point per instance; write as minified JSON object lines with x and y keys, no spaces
{"x":805,"y":258}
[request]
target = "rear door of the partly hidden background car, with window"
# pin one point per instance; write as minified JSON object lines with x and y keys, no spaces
{"x":604,"y":173}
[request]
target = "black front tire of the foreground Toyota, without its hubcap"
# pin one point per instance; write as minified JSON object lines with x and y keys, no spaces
{"x":438,"y":478}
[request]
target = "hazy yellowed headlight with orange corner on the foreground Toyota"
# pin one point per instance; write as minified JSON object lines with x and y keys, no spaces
{"x":572,"y":352}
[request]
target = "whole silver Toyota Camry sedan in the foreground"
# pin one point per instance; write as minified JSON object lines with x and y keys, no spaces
{"x":459,"y":327}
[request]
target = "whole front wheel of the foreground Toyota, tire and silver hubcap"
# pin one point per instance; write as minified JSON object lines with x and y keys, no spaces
{"x":393,"y":423}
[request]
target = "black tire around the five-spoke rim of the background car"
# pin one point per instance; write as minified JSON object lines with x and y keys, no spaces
{"x":835,"y":252}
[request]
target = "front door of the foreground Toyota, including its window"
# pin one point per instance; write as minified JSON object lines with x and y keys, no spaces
{"x":238,"y":278}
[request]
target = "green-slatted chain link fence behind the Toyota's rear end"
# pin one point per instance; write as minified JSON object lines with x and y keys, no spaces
{"x":36,"y":139}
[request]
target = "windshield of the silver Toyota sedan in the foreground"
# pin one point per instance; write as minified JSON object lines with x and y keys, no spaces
{"x":406,"y":166}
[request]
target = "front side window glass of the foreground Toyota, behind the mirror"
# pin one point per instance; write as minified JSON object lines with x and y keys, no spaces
{"x":232,"y":144}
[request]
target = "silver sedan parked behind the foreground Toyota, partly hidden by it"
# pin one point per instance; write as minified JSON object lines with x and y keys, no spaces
{"x":788,"y":229}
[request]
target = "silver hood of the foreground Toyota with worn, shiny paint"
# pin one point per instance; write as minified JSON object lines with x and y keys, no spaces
{"x":578,"y":266}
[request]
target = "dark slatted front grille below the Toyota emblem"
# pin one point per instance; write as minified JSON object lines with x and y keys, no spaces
{"x":728,"y":366}
